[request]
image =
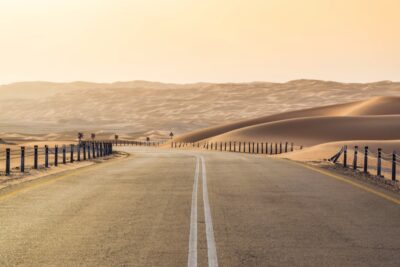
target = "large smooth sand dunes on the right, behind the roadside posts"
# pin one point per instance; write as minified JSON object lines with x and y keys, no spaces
{"x":314,"y":126}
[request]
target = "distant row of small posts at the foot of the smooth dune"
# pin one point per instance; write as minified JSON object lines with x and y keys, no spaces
{"x":272,"y":148}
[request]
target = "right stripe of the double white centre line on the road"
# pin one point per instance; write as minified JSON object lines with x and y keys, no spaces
{"x":211,"y":248}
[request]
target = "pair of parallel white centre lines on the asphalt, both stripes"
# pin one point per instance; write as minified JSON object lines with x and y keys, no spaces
{"x":211,"y":248}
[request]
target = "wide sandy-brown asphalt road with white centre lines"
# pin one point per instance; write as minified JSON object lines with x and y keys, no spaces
{"x":182,"y":208}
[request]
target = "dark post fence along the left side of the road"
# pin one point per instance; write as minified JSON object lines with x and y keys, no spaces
{"x":83,"y":151}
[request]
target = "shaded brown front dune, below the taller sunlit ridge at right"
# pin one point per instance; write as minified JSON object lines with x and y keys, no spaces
{"x":317,"y":130}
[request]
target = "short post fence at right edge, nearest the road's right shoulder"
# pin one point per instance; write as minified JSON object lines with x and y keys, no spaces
{"x":365,"y":160}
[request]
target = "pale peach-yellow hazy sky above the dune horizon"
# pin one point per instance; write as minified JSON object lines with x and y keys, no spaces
{"x":199,"y":40}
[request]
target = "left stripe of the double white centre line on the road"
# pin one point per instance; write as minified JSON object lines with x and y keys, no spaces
{"x":192,"y":259}
